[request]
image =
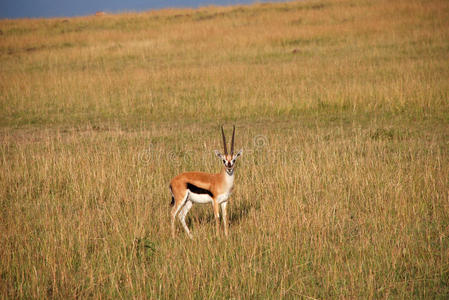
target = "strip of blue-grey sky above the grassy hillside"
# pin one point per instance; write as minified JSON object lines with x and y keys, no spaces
{"x":13,"y":9}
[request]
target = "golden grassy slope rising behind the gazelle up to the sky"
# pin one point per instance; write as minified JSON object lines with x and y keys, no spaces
{"x":235,"y":63}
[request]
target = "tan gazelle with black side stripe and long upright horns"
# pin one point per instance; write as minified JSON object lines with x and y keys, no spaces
{"x":199,"y":187}
